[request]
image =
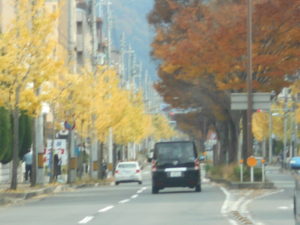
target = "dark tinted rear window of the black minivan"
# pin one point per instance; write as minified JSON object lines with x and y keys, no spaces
{"x":170,"y":151}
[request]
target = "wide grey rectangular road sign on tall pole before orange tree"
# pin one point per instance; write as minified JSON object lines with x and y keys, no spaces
{"x":261,"y":100}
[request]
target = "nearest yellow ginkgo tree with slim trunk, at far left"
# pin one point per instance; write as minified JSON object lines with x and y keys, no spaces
{"x":26,"y":61}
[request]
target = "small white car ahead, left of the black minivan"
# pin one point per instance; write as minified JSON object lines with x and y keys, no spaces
{"x":128,"y":172}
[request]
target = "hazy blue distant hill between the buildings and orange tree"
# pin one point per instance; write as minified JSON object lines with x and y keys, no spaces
{"x":130,"y":17}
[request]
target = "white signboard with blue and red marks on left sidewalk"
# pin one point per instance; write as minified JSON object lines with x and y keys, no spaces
{"x":60,"y":148}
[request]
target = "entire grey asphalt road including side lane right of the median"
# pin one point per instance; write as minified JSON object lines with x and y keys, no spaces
{"x":134,"y":204}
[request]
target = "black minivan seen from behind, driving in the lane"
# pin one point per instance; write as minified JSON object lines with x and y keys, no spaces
{"x":175,"y":164}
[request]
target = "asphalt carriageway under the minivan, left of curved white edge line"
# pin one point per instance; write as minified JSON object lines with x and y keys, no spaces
{"x":118,"y":205}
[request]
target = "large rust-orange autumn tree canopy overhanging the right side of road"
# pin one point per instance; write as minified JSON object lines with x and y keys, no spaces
{"x":204,"y":44}
